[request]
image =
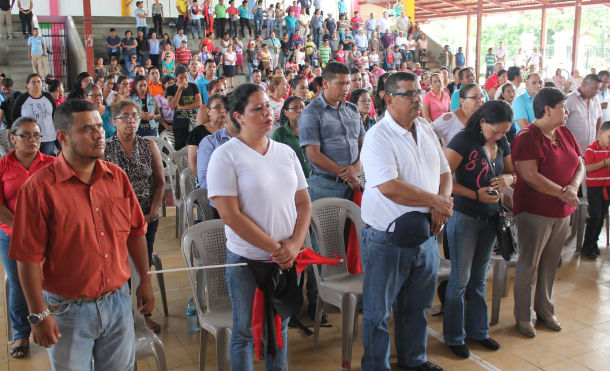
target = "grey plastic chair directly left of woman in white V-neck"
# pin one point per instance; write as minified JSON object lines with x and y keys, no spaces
{"x":205,"y":244}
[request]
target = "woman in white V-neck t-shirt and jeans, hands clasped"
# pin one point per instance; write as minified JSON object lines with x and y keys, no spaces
{"x":260,"y":191}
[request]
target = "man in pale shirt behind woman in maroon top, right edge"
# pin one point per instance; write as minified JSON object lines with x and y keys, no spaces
{"x":584,"y":111}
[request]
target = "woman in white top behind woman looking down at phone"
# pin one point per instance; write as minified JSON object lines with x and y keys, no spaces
{"x":451,"y":123}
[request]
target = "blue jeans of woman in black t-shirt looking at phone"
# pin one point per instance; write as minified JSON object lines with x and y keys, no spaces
{"x":471,"y":242}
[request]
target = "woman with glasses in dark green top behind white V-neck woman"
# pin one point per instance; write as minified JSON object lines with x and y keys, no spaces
{"x":288,"y":133}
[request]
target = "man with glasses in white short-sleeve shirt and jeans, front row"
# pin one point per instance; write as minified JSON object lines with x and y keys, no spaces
{"x":405,"y":171}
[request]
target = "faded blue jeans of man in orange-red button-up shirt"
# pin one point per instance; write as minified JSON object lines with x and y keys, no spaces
{"x":100,"y":331}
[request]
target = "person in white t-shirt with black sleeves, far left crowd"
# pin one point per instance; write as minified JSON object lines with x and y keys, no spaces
{"x":40,"y":105}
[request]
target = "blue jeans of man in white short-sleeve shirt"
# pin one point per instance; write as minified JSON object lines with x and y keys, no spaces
{"x":403,"y":279}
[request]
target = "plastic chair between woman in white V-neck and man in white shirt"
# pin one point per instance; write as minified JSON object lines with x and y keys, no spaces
{"x":336,"y":286}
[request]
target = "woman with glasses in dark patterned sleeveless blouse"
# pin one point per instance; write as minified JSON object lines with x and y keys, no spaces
{"x":141,"y":160}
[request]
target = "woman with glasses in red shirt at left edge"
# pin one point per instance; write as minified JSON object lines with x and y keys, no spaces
{"x":15,"y":169}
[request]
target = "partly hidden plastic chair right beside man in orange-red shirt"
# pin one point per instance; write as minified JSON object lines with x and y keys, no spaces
{"x":148,"y":344}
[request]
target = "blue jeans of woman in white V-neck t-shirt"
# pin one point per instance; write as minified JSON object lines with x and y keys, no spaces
{"x":241,"y":284}
